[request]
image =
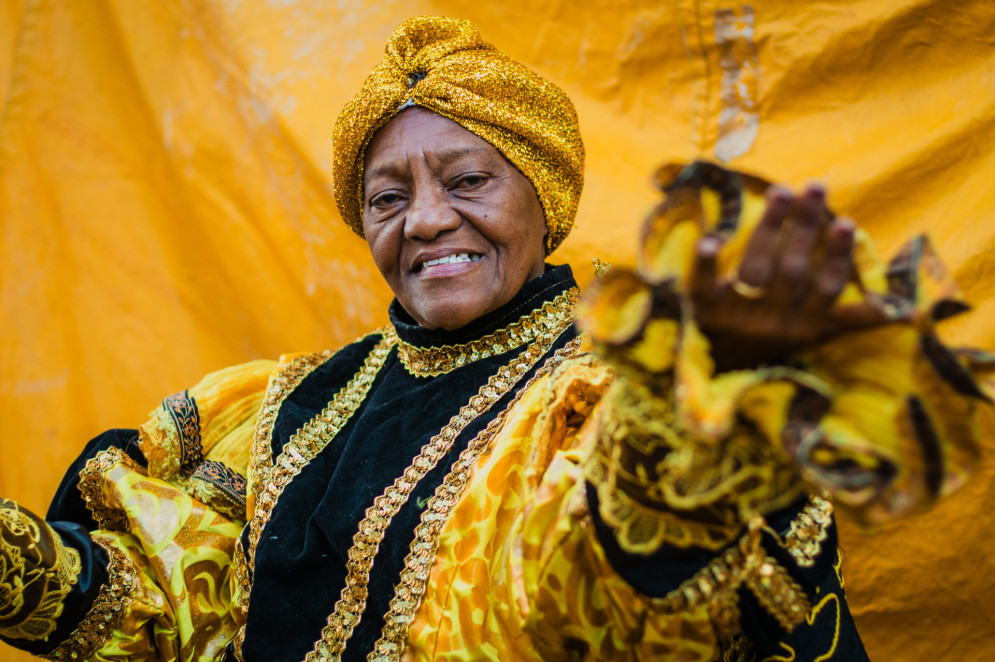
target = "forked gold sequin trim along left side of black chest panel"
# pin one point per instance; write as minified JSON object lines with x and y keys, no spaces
{"x":269,"y":478}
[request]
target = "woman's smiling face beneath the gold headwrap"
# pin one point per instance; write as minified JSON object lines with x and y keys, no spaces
{"x":454,"y":228}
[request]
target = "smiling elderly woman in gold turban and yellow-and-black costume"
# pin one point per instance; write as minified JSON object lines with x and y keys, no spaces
{"x":479,"y":480}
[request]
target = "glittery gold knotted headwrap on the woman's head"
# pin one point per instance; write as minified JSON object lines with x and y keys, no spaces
{"x":443,"y":65}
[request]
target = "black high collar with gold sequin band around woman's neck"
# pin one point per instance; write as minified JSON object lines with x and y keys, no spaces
{"x":543,"y":305}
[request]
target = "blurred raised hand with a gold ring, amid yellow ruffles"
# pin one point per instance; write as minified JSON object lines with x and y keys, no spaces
{"x":795,"y":266}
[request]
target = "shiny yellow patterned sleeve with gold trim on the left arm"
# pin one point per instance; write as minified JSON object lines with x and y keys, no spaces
{"x":167,"y":595}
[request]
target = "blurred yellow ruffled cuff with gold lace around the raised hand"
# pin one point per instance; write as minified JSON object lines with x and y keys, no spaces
{"x":881,"y":419}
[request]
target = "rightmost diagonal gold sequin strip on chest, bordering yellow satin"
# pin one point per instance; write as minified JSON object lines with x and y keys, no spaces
{"x":411,"y":589}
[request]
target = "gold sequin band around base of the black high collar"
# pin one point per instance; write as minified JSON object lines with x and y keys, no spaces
{"x":435,"y":361}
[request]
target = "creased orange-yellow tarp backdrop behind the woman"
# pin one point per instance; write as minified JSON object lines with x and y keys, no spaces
{"x":165,"y":201}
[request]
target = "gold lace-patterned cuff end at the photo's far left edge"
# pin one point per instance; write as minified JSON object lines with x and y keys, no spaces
{"x":37,"y":572}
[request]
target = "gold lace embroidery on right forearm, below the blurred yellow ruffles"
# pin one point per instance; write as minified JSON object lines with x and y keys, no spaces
{"x":658,"y":483}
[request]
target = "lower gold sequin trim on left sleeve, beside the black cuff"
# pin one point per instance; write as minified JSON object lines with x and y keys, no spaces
{"x":107,"y":610}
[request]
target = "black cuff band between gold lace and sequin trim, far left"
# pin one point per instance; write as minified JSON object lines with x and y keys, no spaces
{"x":92,"y":576}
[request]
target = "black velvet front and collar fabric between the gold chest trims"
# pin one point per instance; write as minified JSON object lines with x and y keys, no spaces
{"x":300,"y":561}
